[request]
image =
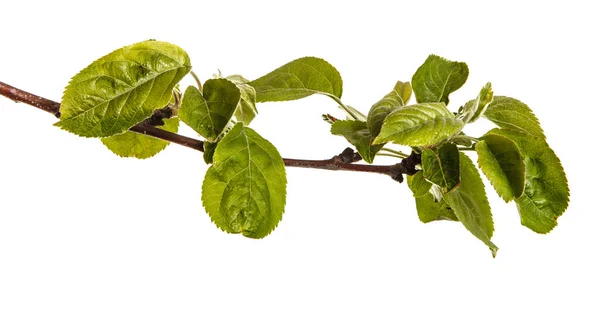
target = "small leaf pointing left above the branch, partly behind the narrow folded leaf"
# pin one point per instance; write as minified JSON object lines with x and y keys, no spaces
{"x":358,"y":135}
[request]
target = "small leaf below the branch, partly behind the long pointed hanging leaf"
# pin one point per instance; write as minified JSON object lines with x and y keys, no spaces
{"x":427,"y":209}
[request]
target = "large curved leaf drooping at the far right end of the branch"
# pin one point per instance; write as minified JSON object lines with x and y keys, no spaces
{"x":546,"y":193}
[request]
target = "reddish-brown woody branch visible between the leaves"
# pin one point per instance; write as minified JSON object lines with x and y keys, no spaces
{"x":341,"y":162}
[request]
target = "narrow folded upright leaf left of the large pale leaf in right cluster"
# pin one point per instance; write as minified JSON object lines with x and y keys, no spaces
{"x":398,"y":97}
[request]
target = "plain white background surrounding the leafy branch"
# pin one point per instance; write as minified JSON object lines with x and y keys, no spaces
{"x":81,"y":229}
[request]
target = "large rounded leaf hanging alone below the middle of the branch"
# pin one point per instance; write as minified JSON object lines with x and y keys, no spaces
{"x":244,"y":190}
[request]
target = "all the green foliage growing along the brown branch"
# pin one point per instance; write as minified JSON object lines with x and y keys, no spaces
{"x":244,"y":189}
